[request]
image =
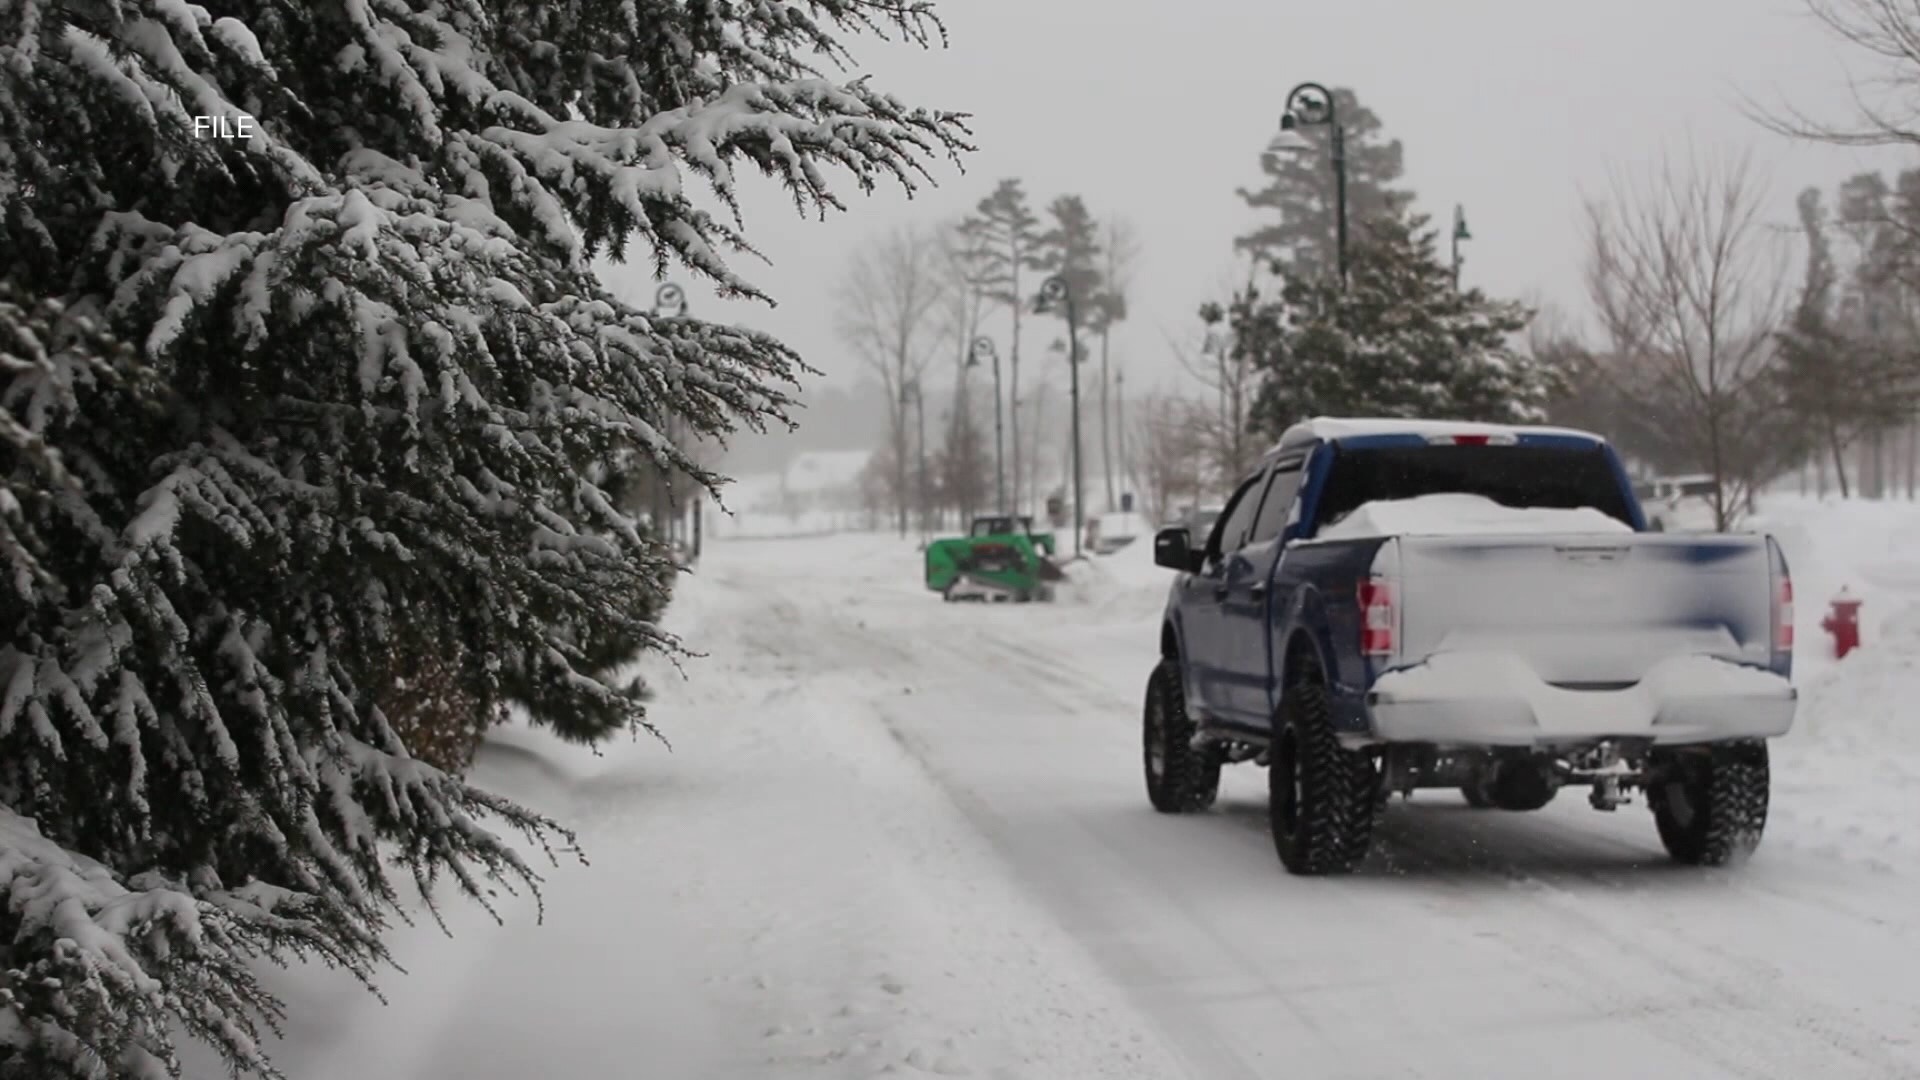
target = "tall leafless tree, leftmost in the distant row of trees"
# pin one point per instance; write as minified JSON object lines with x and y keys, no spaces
{"x":888,"y":307}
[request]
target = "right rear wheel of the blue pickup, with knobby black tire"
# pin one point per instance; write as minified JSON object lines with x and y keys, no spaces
{"x":1712,"y":808}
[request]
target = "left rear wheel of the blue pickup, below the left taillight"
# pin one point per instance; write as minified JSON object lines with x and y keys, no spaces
{"x":1320,"y":795}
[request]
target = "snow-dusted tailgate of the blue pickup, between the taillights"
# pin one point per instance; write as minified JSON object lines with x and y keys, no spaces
{"x":1589,"y":610}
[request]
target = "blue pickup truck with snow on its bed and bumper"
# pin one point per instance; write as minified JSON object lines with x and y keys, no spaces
{"x":1389,"y":606}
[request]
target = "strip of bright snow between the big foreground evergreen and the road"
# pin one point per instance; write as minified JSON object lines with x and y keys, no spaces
{"x":782,"y":895}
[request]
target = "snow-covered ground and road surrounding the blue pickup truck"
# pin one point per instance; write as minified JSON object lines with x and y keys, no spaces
{"x":898,"y":837}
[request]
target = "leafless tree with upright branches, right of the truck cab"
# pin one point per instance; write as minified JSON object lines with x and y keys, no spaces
{"x":1691,"y":289}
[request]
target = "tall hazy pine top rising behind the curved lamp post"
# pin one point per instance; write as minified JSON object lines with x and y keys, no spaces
{"x":1301,"y":191}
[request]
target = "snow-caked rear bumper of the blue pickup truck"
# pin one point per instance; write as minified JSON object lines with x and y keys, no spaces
{"x":1497,"y":700}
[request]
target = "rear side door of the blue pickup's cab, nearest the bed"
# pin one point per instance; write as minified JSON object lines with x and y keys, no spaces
{"x":1247,"y":626}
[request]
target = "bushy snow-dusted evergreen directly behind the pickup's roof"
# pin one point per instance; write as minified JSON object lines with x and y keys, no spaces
{"x":1401,"y":343}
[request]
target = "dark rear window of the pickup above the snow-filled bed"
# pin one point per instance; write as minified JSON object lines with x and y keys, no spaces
{"x":1552,"y":478}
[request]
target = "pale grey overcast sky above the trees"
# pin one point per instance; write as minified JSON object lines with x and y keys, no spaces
{"x":1159,"y":110}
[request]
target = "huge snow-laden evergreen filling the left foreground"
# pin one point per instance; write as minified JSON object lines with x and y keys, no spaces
{"x":370,"y":378}
